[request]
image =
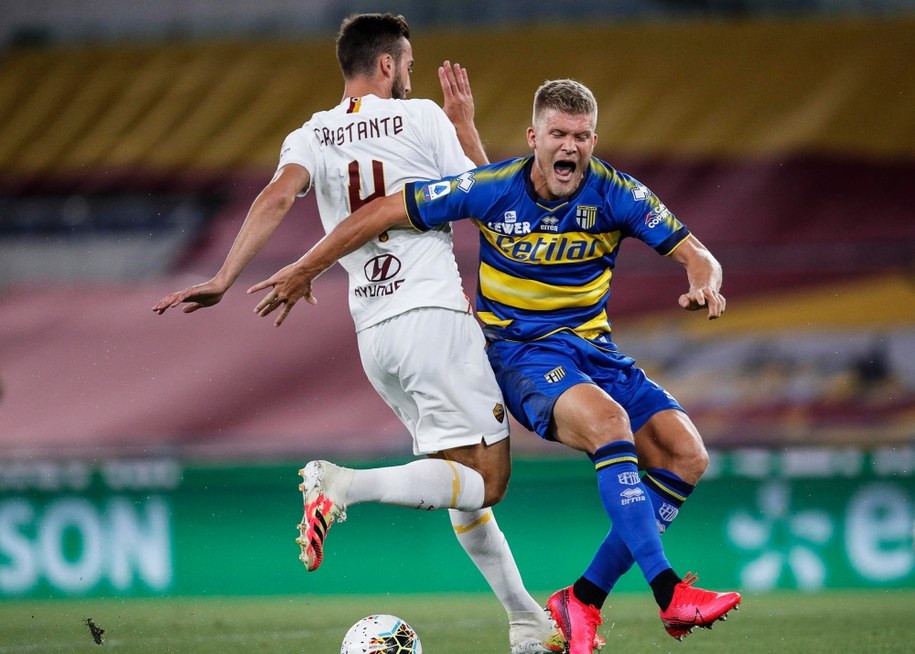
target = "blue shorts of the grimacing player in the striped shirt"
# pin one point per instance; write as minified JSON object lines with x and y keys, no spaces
{"x":533,"y":374}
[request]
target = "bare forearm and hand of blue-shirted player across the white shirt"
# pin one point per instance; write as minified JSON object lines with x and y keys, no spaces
{"x":294,"y":282}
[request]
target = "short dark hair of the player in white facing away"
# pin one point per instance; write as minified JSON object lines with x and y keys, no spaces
{"x":365,"y":37}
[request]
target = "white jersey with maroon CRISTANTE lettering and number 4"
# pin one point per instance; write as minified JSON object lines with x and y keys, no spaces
{"x":366,"y":148}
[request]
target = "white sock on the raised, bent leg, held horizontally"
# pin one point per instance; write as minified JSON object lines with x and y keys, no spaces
{"x":422,"y":484}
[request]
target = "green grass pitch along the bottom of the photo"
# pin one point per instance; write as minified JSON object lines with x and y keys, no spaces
{"x":855,"y":622}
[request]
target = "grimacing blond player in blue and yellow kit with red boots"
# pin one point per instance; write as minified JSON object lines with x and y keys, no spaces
{"x":551,"y":225}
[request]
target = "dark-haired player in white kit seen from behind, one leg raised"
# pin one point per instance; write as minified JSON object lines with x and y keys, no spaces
{"x":404,"y":288}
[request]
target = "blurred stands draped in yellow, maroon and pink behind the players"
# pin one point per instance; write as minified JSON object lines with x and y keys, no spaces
{"x":787,"y":147}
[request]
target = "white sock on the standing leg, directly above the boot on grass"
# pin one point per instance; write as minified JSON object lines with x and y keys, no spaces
{"x":480,"y":536}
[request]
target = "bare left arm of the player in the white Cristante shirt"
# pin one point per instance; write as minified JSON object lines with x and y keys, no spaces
{"x":266,"y":213}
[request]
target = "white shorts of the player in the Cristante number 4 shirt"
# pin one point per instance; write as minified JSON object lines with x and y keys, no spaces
{"x":431,"y":368}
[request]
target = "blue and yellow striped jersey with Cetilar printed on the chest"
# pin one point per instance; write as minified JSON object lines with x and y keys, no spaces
{"x":545,"y":266}
